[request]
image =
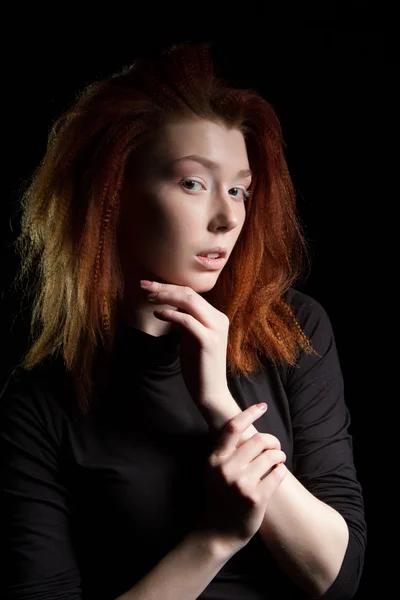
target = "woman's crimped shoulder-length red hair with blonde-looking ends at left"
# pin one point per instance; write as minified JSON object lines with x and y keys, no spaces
{"x":70,"y":216}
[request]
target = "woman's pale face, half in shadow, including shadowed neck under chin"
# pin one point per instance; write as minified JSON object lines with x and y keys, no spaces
{"x":173,"y":208}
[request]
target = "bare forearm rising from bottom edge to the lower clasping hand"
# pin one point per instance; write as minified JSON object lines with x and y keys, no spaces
{"x":183,"y":573}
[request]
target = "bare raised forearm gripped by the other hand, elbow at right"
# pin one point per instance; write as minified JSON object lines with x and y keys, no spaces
{"x":307,"y":538}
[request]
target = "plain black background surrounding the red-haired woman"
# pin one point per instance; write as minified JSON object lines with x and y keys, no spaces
{"x":330,"y":77}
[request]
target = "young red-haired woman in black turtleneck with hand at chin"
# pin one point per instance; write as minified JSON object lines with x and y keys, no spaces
{"x":136,"y":461}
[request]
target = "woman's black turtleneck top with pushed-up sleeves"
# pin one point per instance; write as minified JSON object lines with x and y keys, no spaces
{"x":90,"y":504}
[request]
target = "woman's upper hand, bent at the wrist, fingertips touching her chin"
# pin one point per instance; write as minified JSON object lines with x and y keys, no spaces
{"x":203,"y":344}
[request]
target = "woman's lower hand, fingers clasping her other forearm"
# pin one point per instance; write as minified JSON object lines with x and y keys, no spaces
{"x":240,"y":481}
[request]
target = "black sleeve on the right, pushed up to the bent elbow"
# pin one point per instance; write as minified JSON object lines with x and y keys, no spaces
{"x":323,"y":453}
